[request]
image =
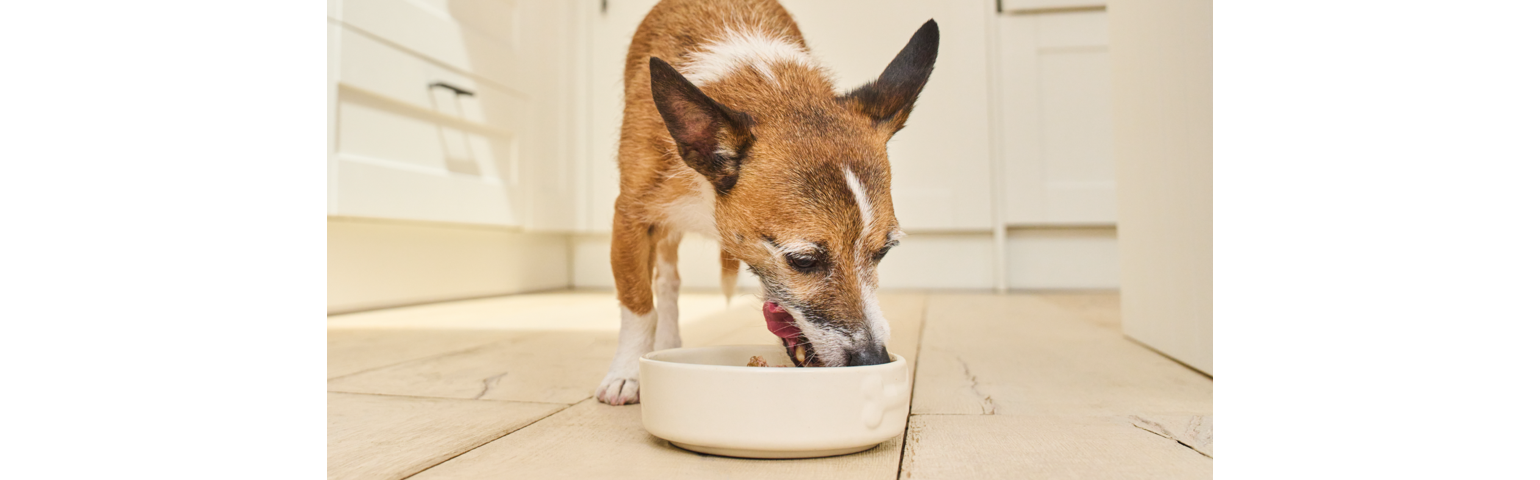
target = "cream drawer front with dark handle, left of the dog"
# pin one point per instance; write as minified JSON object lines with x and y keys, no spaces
{"x":415,"y":152}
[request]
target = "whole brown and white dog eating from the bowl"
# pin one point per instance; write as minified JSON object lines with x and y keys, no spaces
{"x":734,"y":132}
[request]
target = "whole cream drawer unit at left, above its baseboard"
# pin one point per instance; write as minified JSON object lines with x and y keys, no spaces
{"x":430,"y":112}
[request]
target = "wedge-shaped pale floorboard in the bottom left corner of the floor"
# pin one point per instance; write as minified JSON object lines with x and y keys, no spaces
{"x":393,"y":438}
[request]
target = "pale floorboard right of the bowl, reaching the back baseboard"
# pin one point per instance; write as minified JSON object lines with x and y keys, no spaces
{"x":1026,"y":356}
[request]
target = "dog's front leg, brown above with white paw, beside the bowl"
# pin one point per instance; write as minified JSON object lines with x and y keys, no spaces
{"x":632,"y":262}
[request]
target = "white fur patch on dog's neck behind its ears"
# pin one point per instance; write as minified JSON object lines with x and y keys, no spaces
{"x":738,"y":48}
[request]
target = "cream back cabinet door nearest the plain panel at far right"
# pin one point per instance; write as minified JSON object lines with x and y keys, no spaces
{"x":1057,"y":119}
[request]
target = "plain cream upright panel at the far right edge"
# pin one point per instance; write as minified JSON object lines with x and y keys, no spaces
{"x":1163,"y":122}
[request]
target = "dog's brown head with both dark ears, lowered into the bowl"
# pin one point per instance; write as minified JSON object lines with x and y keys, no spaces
{"x":802,"y":182}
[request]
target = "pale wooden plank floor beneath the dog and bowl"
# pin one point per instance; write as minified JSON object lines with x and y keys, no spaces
{"x":1006,"y":387}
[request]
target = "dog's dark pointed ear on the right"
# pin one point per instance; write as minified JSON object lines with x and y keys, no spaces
{"x":892,"y":96}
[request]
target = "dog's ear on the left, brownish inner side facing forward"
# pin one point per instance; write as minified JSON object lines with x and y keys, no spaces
{"x":712,"y":138}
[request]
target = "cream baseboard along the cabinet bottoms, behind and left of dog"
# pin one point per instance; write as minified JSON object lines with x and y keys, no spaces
{"x":373,"y":264}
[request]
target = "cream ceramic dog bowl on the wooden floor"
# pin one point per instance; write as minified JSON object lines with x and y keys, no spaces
{"x":709,"y":401}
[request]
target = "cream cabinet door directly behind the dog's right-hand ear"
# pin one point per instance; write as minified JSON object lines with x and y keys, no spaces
{"x":942,"y":170}
